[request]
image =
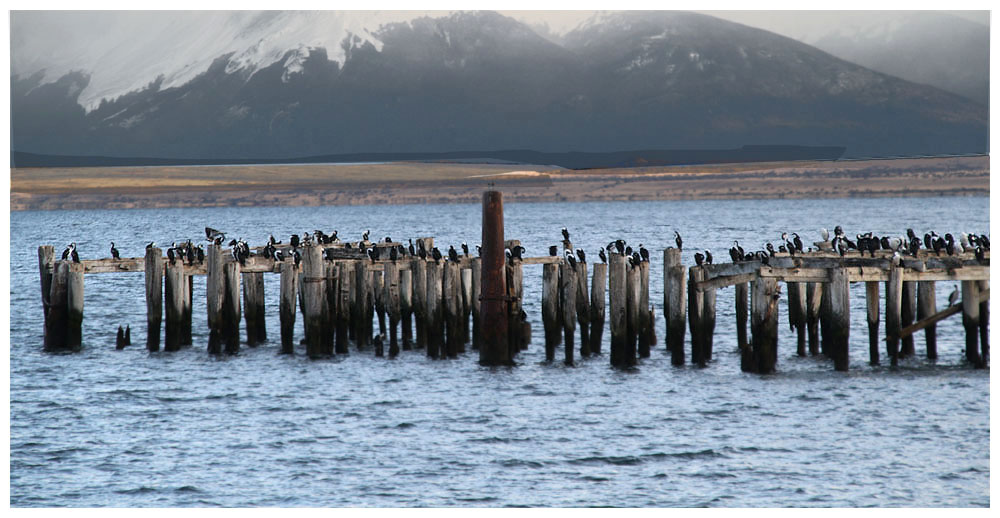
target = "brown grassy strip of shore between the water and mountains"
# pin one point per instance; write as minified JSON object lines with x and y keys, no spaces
{"x":403,"y":182}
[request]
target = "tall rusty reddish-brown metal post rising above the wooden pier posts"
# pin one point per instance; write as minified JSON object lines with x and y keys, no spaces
{"x":493,"y":314}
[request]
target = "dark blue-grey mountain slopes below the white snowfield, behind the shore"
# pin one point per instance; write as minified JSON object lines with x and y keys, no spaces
{"x":480,"y":80}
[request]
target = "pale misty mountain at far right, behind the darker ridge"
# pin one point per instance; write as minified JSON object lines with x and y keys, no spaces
{"x":931,"y":48}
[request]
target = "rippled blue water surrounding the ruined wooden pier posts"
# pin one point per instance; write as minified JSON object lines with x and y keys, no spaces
{"x":131,"y":428}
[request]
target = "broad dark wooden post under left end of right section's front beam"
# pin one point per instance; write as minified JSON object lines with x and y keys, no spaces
{"x":762,"y":355}
